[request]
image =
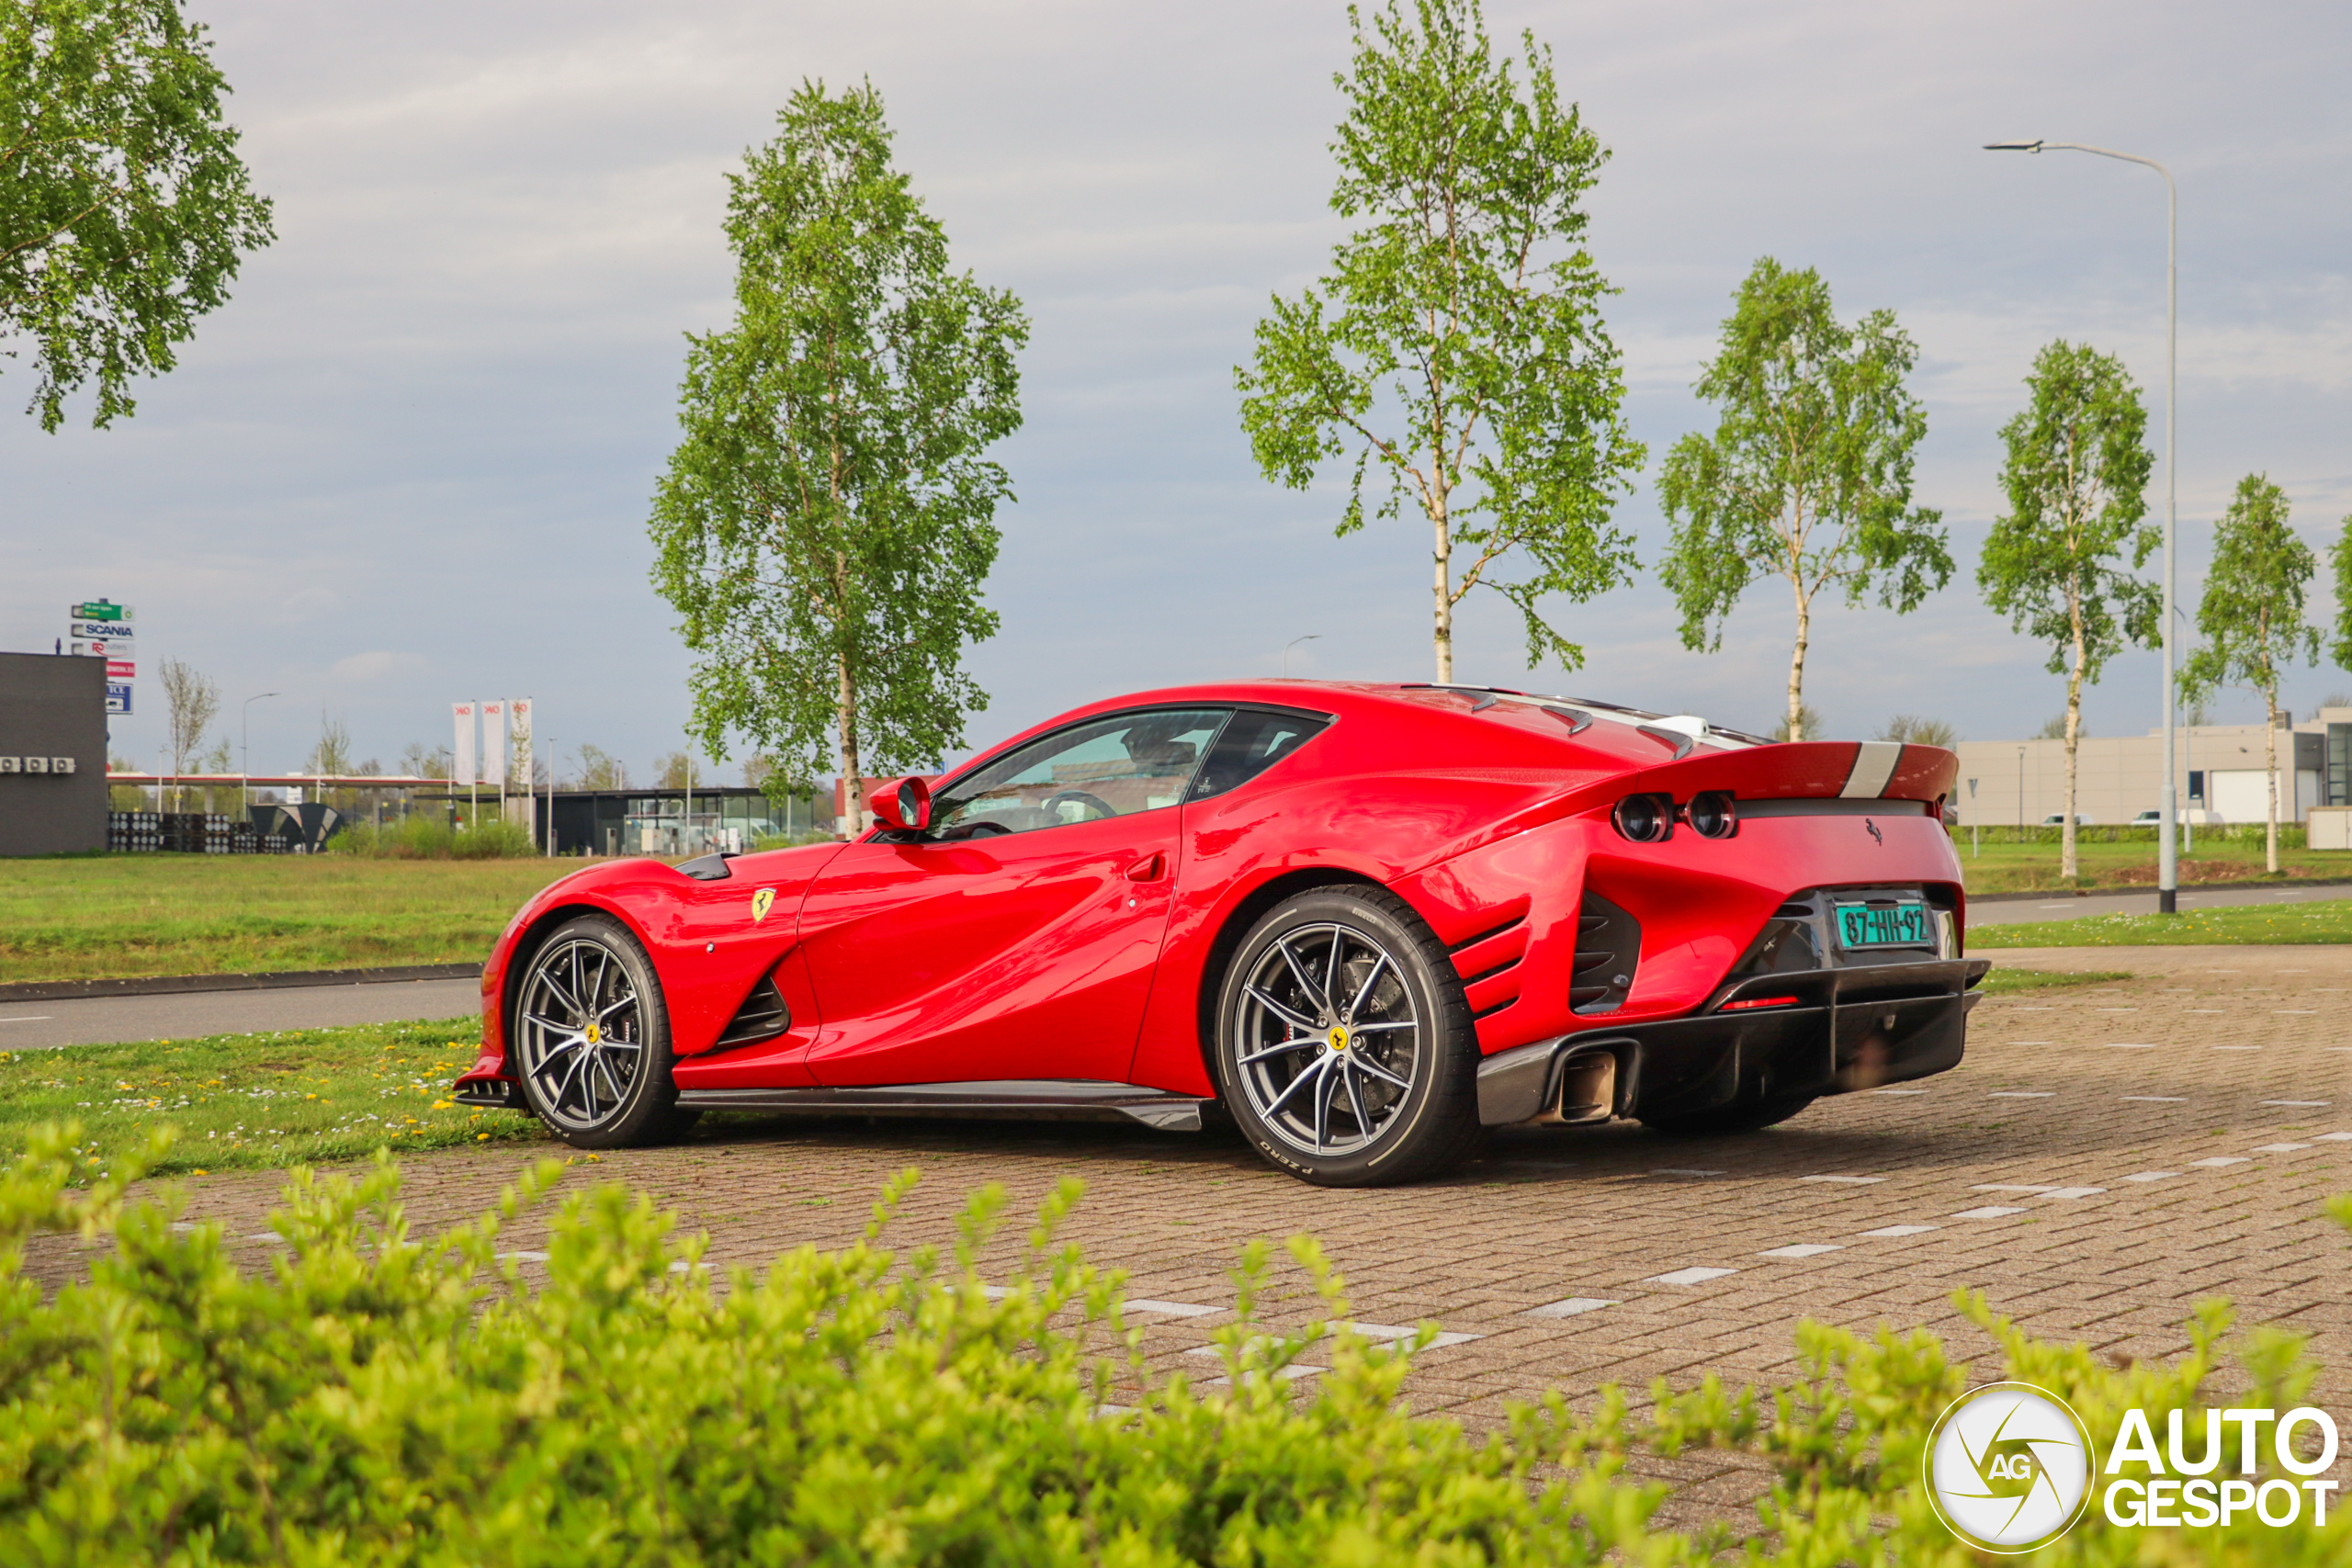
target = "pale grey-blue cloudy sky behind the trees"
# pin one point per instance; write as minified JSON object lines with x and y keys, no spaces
{"x":410,"y":462}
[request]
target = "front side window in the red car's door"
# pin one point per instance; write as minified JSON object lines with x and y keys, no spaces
{"x":1107,"y":768}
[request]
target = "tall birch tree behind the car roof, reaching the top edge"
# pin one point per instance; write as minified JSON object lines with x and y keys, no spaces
{"x":1457,"y":344}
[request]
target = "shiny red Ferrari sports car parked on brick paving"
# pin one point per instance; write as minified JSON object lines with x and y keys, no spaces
{"x":1363,"y":920}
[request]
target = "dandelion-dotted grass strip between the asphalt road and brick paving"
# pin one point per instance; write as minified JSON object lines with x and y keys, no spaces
{"x":255,"y":1101}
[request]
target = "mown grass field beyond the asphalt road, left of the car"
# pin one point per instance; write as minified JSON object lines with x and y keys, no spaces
{"x":194,"y":916}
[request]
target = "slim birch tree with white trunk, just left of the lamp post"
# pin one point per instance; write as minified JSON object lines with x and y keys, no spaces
{"x":2076,"y":483}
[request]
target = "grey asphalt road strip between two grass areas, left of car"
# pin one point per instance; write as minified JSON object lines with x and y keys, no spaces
{"x":88,"y":1021}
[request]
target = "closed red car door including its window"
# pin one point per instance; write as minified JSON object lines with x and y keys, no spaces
{"x":1017,"y":937}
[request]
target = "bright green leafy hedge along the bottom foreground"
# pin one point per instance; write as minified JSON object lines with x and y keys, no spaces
{"x":382,"y":1400}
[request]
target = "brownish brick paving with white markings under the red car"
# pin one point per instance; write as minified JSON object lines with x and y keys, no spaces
{"x":2106,"y":1158}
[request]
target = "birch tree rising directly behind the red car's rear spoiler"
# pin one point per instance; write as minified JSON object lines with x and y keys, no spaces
{"x":1810,"y":469}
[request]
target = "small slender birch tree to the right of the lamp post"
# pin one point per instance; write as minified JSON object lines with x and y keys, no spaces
{"x":2252,"y":617}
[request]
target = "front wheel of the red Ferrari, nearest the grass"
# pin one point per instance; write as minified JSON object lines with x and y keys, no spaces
{"x":601,"y":1087}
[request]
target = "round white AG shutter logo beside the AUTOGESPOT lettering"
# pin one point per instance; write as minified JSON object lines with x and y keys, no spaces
{"x":2010,"y":1468}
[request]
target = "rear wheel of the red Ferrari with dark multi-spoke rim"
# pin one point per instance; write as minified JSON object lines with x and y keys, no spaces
{"x":1396,"y":1043}
